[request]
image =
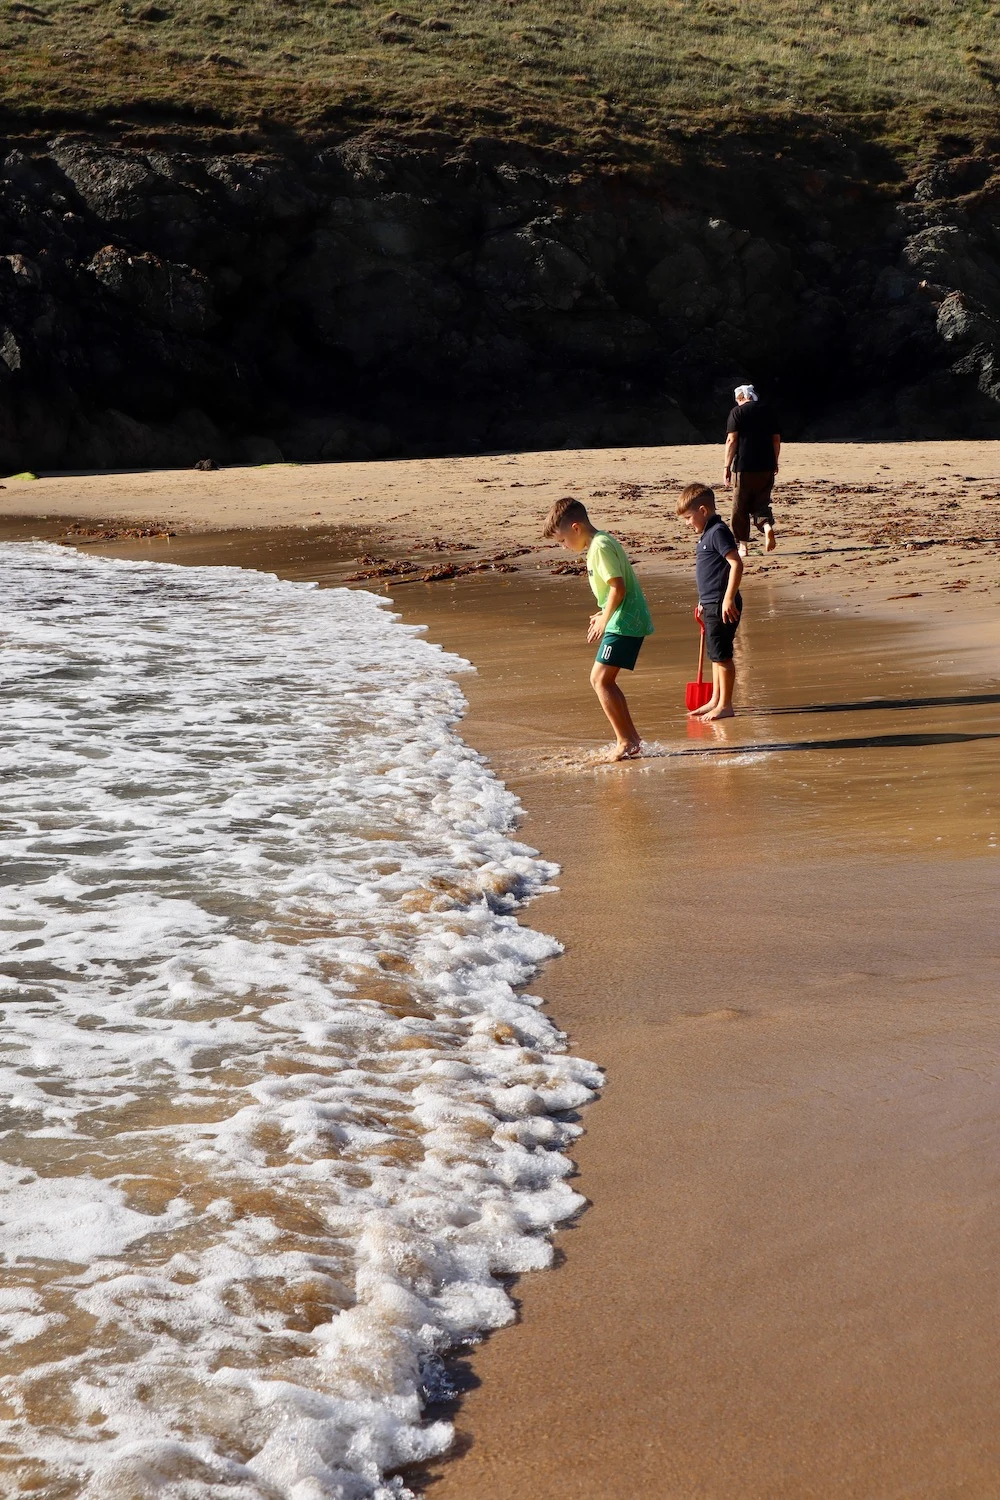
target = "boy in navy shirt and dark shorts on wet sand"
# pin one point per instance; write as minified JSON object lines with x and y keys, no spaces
{"x":719,"y":569}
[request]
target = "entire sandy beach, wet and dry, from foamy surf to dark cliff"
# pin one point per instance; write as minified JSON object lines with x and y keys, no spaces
{"x":780,"y":946}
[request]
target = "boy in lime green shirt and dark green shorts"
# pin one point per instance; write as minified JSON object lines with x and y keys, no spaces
{"x":623,"y":620}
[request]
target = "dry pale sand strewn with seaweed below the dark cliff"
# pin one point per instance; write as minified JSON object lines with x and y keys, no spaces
{"x":870,"y":523}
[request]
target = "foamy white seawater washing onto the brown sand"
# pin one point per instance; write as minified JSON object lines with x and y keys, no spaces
{"x":275,"y":1114}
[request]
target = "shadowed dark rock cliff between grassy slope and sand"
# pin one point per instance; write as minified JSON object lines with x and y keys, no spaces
{"x":160,"y":307}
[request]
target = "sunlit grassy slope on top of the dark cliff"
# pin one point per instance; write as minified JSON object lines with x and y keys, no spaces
{"x":575,"y":73}
